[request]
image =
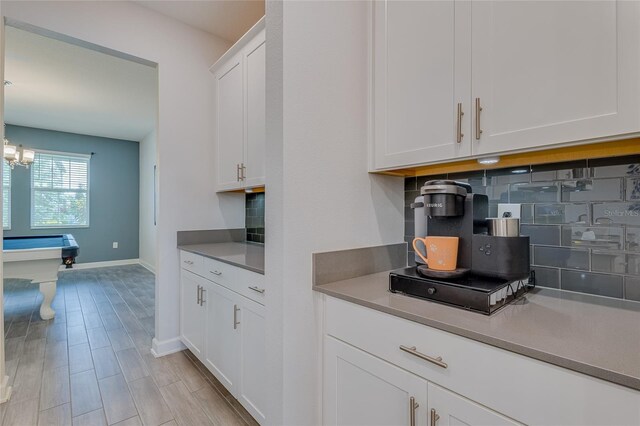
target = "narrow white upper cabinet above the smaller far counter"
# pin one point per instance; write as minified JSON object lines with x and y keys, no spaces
{"x":240,"y":112}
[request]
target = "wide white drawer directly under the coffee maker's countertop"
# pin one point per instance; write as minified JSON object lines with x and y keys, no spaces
{"x":505,"y":381}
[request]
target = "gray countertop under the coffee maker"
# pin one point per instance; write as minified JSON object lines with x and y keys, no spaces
{"x":591,"y":335}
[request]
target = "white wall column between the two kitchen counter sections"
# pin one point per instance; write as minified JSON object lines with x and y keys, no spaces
{"x":320,"y":196}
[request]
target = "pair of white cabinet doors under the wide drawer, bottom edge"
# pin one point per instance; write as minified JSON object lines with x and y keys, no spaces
{"x":361,"y":389}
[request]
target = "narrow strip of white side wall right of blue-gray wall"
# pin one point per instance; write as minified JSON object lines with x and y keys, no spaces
{"x":147,"y":251}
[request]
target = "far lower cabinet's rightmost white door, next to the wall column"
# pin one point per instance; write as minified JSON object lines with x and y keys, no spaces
{"x":253,"y":380}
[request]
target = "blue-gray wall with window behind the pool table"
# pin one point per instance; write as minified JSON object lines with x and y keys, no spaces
{"x":113,"y":192}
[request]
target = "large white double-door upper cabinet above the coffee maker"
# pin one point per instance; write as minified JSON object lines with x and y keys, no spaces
{"x":527,"y":74}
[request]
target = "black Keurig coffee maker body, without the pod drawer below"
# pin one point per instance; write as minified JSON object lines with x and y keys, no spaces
{"x":452,"y":209}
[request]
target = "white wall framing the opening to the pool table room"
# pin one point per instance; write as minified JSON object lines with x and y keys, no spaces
{"x":185,"y":134}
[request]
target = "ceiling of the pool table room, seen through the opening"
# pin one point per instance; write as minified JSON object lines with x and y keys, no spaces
{"x":65,"y":87}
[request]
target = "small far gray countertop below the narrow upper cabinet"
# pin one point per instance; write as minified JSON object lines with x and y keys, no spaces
{"x":244,"y":255}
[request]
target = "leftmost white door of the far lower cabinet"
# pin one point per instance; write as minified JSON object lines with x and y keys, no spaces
{"x":192,"y":315}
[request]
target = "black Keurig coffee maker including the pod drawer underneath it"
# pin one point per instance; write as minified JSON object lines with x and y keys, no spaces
{"x":491,"y":269}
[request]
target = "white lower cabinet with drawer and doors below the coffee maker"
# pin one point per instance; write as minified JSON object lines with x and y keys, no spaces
{"x":375,"y":362}
